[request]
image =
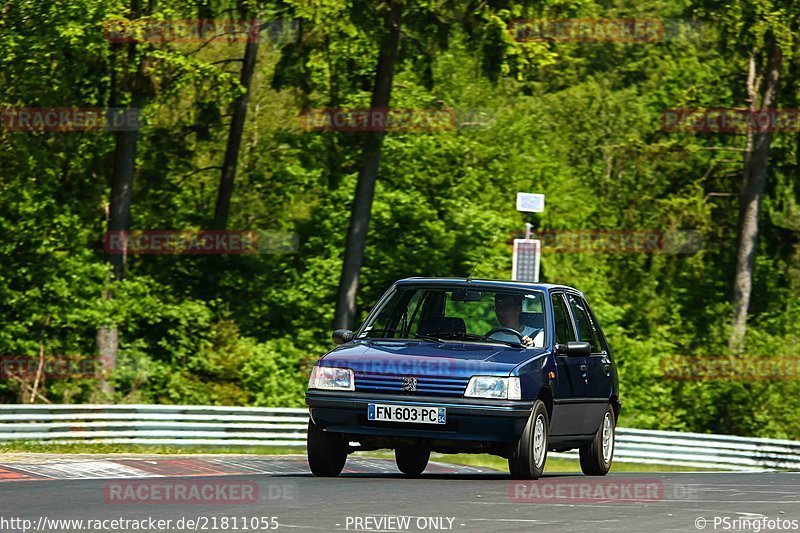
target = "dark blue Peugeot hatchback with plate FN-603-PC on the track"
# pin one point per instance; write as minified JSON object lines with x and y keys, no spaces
{"x":467,"y":366}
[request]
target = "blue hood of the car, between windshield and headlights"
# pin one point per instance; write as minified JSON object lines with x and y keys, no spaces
{"x":451,"y":359}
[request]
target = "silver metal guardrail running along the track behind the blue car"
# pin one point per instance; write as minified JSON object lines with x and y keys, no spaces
{"x":260,"y":426}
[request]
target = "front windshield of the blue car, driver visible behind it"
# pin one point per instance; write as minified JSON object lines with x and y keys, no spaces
{"x":438,"y":314}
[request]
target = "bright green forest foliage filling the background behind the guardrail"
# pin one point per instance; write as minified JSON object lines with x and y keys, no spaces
{"x":578,"y":121}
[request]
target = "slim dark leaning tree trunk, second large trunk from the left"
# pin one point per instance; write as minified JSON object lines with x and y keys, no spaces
{"x":225,"y":190}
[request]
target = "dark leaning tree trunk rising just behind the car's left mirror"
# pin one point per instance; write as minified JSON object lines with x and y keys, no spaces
{"x":367,"y":176}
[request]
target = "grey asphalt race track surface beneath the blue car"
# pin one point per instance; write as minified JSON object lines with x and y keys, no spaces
{"x":372,"y":496}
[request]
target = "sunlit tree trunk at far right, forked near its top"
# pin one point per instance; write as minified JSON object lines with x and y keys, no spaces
{"x":755,"y":178}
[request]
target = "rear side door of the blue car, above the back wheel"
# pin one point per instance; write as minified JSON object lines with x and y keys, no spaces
{"x":600,"y":383}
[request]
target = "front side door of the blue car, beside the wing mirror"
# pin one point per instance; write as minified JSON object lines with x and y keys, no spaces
{"x":571,"y":380}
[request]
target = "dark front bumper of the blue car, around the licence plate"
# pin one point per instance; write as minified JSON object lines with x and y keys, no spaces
{"x":468,"y":419}
